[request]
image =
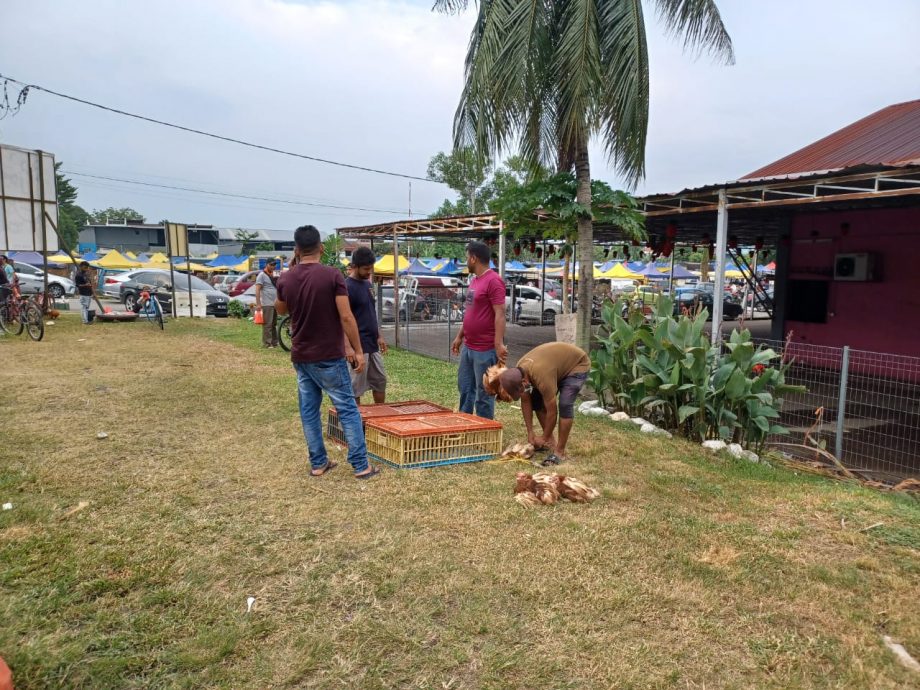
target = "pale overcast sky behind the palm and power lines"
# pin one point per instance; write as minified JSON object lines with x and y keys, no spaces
{"x":376,"y":83}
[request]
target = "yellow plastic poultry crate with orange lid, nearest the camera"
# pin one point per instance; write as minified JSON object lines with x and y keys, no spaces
{"x":432,"y":440}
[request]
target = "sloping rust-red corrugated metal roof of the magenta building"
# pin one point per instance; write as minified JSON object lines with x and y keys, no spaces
{"x":890,"y":136}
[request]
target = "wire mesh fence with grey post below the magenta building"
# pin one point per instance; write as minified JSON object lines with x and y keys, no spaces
{"x":869,"y":406}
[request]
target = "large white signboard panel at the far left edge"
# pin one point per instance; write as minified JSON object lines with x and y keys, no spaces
{"x":28,"y":201}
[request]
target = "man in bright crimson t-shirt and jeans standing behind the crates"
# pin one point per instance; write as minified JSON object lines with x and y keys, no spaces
{"x":480,"y":343}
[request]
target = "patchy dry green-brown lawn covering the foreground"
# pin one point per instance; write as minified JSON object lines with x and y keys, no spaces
{"x":690,"y":571}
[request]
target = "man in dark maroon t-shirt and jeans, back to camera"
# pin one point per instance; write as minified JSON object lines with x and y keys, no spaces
{"x":317,"y":300}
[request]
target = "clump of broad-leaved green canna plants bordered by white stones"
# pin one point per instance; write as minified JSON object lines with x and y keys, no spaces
{"x":665,"y":367}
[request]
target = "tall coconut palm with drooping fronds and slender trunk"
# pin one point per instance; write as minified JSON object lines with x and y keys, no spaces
{"x":548,"y":75}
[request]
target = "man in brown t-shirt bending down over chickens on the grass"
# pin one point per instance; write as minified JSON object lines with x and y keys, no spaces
{"x":543,"y":373}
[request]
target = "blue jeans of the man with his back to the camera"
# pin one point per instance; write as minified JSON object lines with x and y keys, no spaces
{"x":333,"y":377}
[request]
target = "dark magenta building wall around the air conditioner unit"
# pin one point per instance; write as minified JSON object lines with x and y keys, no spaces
{"x":882,"y":316}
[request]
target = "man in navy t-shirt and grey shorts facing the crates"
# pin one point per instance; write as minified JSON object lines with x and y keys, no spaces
{"x":361,"y":299}
